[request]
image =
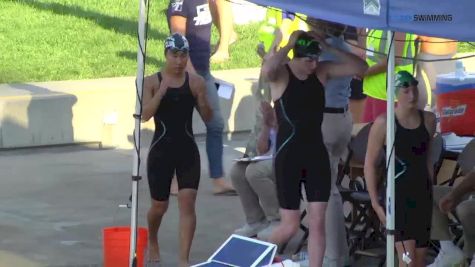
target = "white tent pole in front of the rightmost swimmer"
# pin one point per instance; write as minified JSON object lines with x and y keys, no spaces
{"x":390,"y":193}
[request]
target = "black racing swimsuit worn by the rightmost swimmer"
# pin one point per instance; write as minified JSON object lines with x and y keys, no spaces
{"x":413,"y":188}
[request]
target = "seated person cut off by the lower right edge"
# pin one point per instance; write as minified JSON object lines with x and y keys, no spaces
{"x":456,"y":199}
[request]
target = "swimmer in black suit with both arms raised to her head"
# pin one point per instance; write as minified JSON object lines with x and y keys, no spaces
{"x":301,"y":156}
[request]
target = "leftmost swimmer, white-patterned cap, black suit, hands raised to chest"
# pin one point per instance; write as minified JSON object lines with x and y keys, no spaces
{"x":169,"y":97}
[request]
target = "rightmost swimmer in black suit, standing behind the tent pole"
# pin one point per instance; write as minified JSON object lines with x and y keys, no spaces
{"x":414,"y":170}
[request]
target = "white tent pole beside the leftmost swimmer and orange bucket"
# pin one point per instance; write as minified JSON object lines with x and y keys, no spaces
{"x":138,"y":110}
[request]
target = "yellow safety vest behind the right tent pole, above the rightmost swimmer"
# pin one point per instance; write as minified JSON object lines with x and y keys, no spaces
{"x":375,"y":85}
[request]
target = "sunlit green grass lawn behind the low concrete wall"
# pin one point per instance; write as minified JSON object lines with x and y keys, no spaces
{"x":80,"y":39}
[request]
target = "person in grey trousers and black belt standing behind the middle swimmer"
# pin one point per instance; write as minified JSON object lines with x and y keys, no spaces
{"x":336,"y":129}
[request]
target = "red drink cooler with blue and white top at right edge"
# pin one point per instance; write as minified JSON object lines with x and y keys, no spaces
{"x":456,"y":103}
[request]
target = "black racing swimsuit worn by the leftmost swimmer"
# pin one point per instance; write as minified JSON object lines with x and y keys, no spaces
{"x":173,"y":147}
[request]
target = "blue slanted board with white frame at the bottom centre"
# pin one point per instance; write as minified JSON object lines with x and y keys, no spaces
{"x":240,"y":251}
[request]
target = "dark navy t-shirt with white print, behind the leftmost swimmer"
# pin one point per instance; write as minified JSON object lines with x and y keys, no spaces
{"x":198,"y":29}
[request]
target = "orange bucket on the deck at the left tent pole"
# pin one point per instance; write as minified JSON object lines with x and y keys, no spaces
{"x":116,"y":244}
